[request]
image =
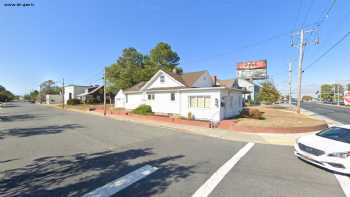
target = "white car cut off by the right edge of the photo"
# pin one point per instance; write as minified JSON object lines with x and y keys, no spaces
{"x":329,"y":149}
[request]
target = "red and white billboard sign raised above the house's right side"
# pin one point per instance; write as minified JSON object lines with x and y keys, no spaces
{"x":252,"y":69}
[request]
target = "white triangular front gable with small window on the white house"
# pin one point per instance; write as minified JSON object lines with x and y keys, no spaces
{"x":162,"y":80}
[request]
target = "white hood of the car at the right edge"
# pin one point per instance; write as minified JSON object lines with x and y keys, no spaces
{"x":321,"y":143}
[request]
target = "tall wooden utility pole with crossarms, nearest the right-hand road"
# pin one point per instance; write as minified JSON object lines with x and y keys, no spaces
{"x":301,"y":45}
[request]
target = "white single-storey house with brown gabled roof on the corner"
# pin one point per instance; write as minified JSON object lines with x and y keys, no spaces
{"x":194,"y":93}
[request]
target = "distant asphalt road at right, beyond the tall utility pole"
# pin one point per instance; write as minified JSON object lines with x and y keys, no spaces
{"x":336,"y":113}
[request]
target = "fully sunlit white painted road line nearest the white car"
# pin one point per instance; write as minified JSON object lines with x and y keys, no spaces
{"x":215,"y":179}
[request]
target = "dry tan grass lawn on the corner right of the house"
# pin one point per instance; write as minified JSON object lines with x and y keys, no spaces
{"x":279,"y":117}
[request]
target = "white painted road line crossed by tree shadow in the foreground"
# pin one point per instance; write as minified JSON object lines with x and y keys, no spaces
{"x":122,"y":183}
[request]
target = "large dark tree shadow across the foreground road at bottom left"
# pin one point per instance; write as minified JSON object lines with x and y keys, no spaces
{"x":75,"y":175}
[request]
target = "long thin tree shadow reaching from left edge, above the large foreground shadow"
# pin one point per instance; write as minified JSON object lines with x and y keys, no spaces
{"x":27,"y":132}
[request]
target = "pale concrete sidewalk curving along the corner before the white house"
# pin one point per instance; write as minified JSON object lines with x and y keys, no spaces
{"x":263,"y":138}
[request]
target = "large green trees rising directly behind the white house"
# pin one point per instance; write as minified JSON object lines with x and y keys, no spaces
{"x":133,"y":67}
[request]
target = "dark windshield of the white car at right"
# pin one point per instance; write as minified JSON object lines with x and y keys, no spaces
{"x":336,"y":133}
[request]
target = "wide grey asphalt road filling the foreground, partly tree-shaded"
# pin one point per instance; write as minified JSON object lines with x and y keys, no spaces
{"x":49,"y":152}
